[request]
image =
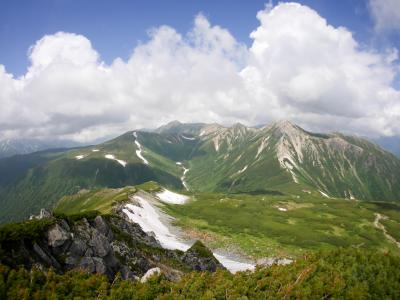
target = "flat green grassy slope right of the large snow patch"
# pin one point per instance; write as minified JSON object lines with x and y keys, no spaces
{"x":259,"y":228}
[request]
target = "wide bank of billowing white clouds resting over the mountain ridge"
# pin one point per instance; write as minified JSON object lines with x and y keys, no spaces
{"x":298,"y":67}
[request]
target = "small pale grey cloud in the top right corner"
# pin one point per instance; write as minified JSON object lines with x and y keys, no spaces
{"x":386,"y":14}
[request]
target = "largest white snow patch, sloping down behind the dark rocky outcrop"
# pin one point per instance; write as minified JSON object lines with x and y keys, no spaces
{"x":149,"y":220}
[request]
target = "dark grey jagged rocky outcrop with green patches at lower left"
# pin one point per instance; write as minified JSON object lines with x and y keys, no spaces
{"x":101,"y":244}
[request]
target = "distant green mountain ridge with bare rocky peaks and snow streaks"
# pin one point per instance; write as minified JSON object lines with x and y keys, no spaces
{"x":277,"y":158}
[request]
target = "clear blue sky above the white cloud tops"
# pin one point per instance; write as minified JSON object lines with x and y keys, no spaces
{"x":115,"y":27}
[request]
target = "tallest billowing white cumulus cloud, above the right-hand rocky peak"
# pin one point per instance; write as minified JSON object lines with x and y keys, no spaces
{"x":317,"y":74}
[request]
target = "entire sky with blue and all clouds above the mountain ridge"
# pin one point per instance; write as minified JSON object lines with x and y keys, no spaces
{"x":86,"y":69}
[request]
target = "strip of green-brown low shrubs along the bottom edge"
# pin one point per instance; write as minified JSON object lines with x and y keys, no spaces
{"x":343,"y":273}
